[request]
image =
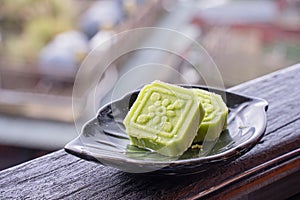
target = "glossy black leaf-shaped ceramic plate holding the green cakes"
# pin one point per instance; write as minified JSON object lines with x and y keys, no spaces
{"x":104,"y":140}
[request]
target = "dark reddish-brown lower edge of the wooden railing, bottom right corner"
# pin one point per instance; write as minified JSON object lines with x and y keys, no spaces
{"x":283,"y":172}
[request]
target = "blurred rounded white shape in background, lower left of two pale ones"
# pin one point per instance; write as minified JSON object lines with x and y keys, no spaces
{"x":64,"y":53}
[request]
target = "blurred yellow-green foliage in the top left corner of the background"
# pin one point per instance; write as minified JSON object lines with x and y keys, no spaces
{"x":27,"y":25}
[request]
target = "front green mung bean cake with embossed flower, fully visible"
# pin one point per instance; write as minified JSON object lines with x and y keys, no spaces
{"x":164,"y":118}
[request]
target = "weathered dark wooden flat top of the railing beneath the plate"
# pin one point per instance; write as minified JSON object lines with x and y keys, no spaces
{"x":63,"y":176}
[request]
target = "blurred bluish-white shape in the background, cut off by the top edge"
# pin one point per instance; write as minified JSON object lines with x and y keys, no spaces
{"x":100,"y":14}
